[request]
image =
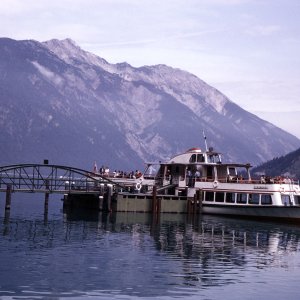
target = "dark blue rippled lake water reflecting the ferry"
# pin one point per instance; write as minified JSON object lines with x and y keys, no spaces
{"x":135,"y":256}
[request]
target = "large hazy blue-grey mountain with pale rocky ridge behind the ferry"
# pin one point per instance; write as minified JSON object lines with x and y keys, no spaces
{"x":61,"y":103}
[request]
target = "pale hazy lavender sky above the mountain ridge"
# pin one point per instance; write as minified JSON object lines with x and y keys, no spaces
{"x":249,"y":50}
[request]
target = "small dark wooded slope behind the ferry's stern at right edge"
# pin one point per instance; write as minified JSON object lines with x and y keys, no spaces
{"x":287,"y":165}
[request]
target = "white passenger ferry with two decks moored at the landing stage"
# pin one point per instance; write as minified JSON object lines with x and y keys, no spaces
{"x":226,"y":188}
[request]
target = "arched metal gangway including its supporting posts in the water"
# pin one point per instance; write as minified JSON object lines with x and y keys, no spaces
{"x":49,"y":179}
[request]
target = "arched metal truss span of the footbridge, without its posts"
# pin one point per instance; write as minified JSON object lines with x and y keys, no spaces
{"x":50,"y":179}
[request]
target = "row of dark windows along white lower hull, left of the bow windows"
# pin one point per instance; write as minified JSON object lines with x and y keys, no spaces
{"x":242,"y":198}
